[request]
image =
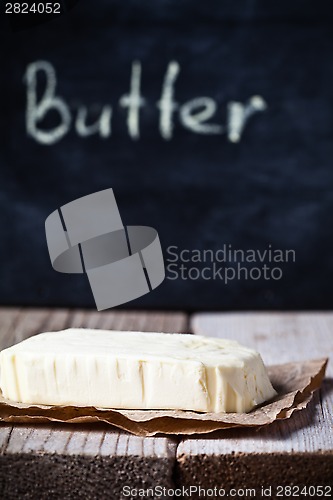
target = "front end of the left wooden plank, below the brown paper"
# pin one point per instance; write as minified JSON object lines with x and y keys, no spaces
{"x":85,"y":463}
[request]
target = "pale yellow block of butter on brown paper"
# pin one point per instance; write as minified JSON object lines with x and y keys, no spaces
{"x":134,"y":370}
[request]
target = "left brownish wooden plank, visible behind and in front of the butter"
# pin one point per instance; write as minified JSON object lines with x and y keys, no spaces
{"x":71,"y":461}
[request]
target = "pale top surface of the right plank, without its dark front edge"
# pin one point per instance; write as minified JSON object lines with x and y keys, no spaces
{"x":279,"y":337}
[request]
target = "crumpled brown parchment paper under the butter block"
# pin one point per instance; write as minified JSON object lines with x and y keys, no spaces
{"x":294,"y":382}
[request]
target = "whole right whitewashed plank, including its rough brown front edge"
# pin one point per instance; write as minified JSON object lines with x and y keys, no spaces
{"x":295,"y":451}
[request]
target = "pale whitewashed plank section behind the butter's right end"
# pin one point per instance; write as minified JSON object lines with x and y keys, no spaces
{"x":280,"y":337}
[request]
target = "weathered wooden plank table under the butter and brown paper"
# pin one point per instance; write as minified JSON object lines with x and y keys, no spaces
{"x":97,"y":461}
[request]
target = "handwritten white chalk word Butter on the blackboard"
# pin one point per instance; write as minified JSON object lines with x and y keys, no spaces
{"x":194,"y":115}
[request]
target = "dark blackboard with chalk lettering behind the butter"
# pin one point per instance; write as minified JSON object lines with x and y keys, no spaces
{"x":178,"y":159}
